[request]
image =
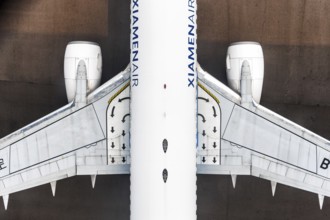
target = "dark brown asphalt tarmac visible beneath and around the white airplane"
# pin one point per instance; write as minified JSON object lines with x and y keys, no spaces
{"x":295,"y":36}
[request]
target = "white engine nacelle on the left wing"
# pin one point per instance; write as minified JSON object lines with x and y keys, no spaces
{"x":90,"y":53}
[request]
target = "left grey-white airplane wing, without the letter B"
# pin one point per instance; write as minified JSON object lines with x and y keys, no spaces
{"x":70,"y":141}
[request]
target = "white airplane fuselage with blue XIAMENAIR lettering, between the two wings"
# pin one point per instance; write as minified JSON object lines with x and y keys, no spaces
{"x":163,"y":109}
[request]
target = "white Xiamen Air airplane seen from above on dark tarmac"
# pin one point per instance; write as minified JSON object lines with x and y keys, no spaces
{"x":94,"y":134}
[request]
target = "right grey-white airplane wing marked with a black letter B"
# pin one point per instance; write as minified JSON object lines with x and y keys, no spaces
{"x":252,"y":140}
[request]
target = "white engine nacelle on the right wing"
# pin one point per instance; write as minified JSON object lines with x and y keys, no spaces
{"x":251,"y":52}
